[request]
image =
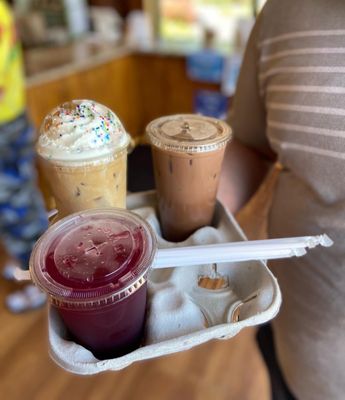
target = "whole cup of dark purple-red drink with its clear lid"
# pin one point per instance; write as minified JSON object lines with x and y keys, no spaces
{"x":94,"y":267}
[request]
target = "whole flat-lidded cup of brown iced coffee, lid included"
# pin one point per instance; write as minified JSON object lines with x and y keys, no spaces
{"x":187,"y":154}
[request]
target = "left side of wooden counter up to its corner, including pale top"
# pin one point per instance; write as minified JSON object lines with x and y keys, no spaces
{"x":108,"y":76}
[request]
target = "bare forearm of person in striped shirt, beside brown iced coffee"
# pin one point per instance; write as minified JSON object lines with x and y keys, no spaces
{"x":242,"y":172}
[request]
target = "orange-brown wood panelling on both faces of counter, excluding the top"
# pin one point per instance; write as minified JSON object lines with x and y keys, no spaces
{"x":138,"y":88}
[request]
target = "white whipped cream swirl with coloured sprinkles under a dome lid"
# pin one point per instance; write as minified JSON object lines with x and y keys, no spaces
{"x":81,"y":130}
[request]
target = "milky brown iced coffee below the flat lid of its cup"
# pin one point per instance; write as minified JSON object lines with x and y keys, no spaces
{"x":186,"y":188}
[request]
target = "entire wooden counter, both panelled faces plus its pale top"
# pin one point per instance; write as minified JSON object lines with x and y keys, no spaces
{"x":137,"y":86}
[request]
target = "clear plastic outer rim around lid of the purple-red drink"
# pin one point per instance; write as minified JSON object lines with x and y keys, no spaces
{"x":60,"y":294}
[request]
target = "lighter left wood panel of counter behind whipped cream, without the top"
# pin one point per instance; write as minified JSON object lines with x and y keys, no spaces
{"x":113,"y":83}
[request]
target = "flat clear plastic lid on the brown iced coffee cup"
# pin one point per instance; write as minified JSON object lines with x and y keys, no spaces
{"x":188,"y":133}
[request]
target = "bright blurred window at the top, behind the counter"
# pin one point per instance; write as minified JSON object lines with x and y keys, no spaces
{"x":182,"y":23}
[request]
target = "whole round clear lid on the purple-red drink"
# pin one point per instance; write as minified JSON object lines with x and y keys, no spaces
{"x":93,"y":257}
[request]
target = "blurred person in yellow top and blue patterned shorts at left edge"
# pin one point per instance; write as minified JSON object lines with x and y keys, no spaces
{"x":22,"y":213}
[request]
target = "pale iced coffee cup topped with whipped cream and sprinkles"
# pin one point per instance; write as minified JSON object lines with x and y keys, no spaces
{"x":82,"y":150}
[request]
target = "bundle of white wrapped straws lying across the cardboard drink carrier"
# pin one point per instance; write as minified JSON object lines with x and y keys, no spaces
{"x":238,"y":251}
